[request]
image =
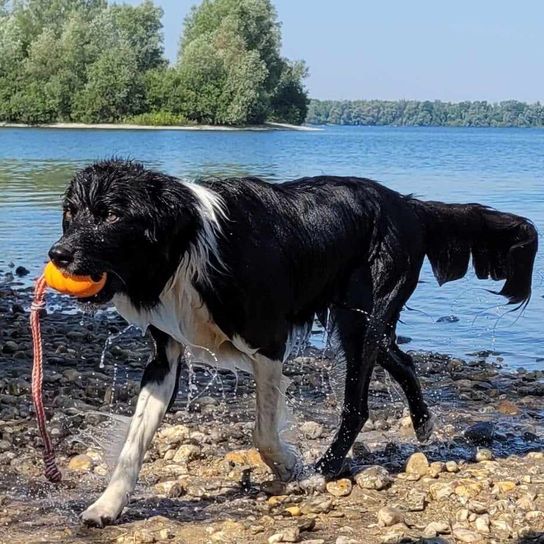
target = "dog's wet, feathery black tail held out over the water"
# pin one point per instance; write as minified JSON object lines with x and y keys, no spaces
{"x":503,"y":245}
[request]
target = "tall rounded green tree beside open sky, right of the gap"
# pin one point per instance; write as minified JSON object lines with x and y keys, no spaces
{"x":231,"y":67}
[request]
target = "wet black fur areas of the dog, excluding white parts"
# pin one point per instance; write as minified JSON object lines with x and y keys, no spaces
{"x":292,"y":251}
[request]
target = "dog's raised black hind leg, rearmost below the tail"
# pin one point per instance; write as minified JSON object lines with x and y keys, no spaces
{"x":401,"y":367}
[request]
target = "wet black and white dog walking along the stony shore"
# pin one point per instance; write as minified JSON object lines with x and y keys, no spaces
{"x":237,"y":268}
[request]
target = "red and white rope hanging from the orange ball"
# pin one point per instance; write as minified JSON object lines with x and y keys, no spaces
{"x":52,"y":473}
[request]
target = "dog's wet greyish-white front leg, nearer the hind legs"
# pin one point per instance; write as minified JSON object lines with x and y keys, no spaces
{"x":271,"y":415}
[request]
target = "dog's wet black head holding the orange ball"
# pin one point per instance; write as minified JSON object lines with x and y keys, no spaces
{"x":128,"y":221}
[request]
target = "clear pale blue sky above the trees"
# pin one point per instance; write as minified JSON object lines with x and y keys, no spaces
{"x":420,"y":49}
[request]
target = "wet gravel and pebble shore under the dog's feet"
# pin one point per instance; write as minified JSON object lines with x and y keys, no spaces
{"x":479,"y":479}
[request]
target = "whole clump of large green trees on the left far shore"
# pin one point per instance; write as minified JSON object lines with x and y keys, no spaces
{"x":89,"y":61}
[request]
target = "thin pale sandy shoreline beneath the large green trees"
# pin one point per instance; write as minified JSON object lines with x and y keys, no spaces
{"x":113,"y":126}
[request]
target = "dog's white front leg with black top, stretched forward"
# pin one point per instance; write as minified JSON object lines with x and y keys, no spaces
{"x":158,"y":391}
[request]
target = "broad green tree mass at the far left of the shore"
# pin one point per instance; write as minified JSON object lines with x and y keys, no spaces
{"x":80,"y":60}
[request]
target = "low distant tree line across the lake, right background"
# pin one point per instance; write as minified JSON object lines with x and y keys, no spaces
{"x":510,"y":113}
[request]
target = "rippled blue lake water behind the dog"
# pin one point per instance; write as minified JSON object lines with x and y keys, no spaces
{"x":503,"y":168}
